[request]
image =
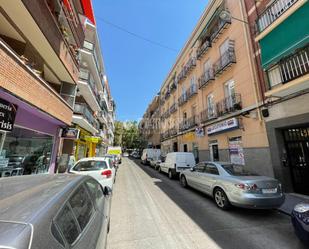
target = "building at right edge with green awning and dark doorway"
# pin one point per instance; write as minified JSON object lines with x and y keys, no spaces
{"x":280,"y":38}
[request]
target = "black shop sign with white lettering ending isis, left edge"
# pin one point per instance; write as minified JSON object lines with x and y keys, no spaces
{"x":7,"y":115}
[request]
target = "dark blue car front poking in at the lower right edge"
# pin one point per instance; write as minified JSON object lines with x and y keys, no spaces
{"x":300,"y":221}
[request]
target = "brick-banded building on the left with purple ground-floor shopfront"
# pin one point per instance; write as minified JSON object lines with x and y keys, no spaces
{"x":38,"y":76}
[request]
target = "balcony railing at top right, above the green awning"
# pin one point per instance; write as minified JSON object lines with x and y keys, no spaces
{"x":273,"y":12}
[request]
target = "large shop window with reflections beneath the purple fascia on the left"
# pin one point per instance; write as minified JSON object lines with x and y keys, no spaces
{"x":25,"y":152}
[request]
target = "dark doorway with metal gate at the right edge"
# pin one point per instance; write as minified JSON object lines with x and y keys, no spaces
{"x":297,"y":147}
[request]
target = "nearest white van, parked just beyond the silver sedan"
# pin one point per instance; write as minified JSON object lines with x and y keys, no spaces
{"x":176,"y":162}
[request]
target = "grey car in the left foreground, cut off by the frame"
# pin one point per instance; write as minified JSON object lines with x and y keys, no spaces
{"x":53,"y":211}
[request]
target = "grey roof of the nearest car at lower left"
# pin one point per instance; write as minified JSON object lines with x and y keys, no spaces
{"x":23,"y":198}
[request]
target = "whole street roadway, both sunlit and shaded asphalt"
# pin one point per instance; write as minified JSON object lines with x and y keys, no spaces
{"x":151,"y":211}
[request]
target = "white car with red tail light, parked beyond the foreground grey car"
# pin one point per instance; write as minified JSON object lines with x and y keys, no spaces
{"x":100,"y":168}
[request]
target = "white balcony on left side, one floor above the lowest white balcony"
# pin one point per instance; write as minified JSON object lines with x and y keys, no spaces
{"x":89,"y":90}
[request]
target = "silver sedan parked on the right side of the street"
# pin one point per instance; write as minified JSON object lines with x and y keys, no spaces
{"x":229,"y":184}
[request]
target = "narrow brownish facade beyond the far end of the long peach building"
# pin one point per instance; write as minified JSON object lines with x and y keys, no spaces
{"x":150,"y":124}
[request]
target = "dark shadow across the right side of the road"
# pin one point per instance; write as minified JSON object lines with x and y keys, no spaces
{"x":236,"y":228}
